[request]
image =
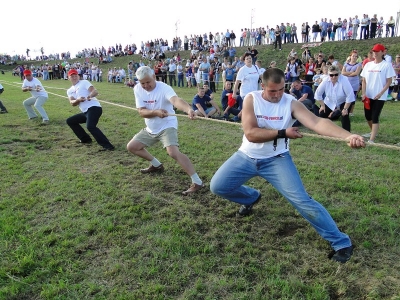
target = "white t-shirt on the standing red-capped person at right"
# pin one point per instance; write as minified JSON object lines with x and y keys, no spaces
{"x":375,"y":76}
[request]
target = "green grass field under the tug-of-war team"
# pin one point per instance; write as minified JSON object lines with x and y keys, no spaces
{"x":78,"y":224}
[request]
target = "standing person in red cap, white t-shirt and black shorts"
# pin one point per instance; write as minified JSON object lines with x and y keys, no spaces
{"x":376,"y":78}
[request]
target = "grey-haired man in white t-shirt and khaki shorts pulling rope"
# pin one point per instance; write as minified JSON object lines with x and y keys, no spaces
{"x":155,"y":102}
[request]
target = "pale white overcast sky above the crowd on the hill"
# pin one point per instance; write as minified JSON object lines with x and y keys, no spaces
{"x":74,"y":25}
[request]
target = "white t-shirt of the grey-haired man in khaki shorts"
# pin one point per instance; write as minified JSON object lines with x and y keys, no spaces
{"x":159,"y":98}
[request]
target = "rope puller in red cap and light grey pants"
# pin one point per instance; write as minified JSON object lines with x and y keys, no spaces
{"x":38,"y":98}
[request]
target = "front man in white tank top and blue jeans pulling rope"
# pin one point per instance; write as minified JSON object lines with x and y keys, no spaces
{"x":267,"y":119}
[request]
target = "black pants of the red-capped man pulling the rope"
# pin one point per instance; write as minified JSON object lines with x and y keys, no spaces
{"x":91,"y":118}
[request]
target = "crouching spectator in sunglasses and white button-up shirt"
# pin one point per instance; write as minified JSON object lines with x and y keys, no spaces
{"x":339,"y":96}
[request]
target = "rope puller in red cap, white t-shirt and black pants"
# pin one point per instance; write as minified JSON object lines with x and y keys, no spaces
{"x":83,"y":94}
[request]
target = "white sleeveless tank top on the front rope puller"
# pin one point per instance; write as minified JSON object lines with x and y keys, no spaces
{"x":269,"y":115}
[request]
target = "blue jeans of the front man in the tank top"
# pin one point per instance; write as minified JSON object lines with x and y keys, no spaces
{"x":281,"y":173}
